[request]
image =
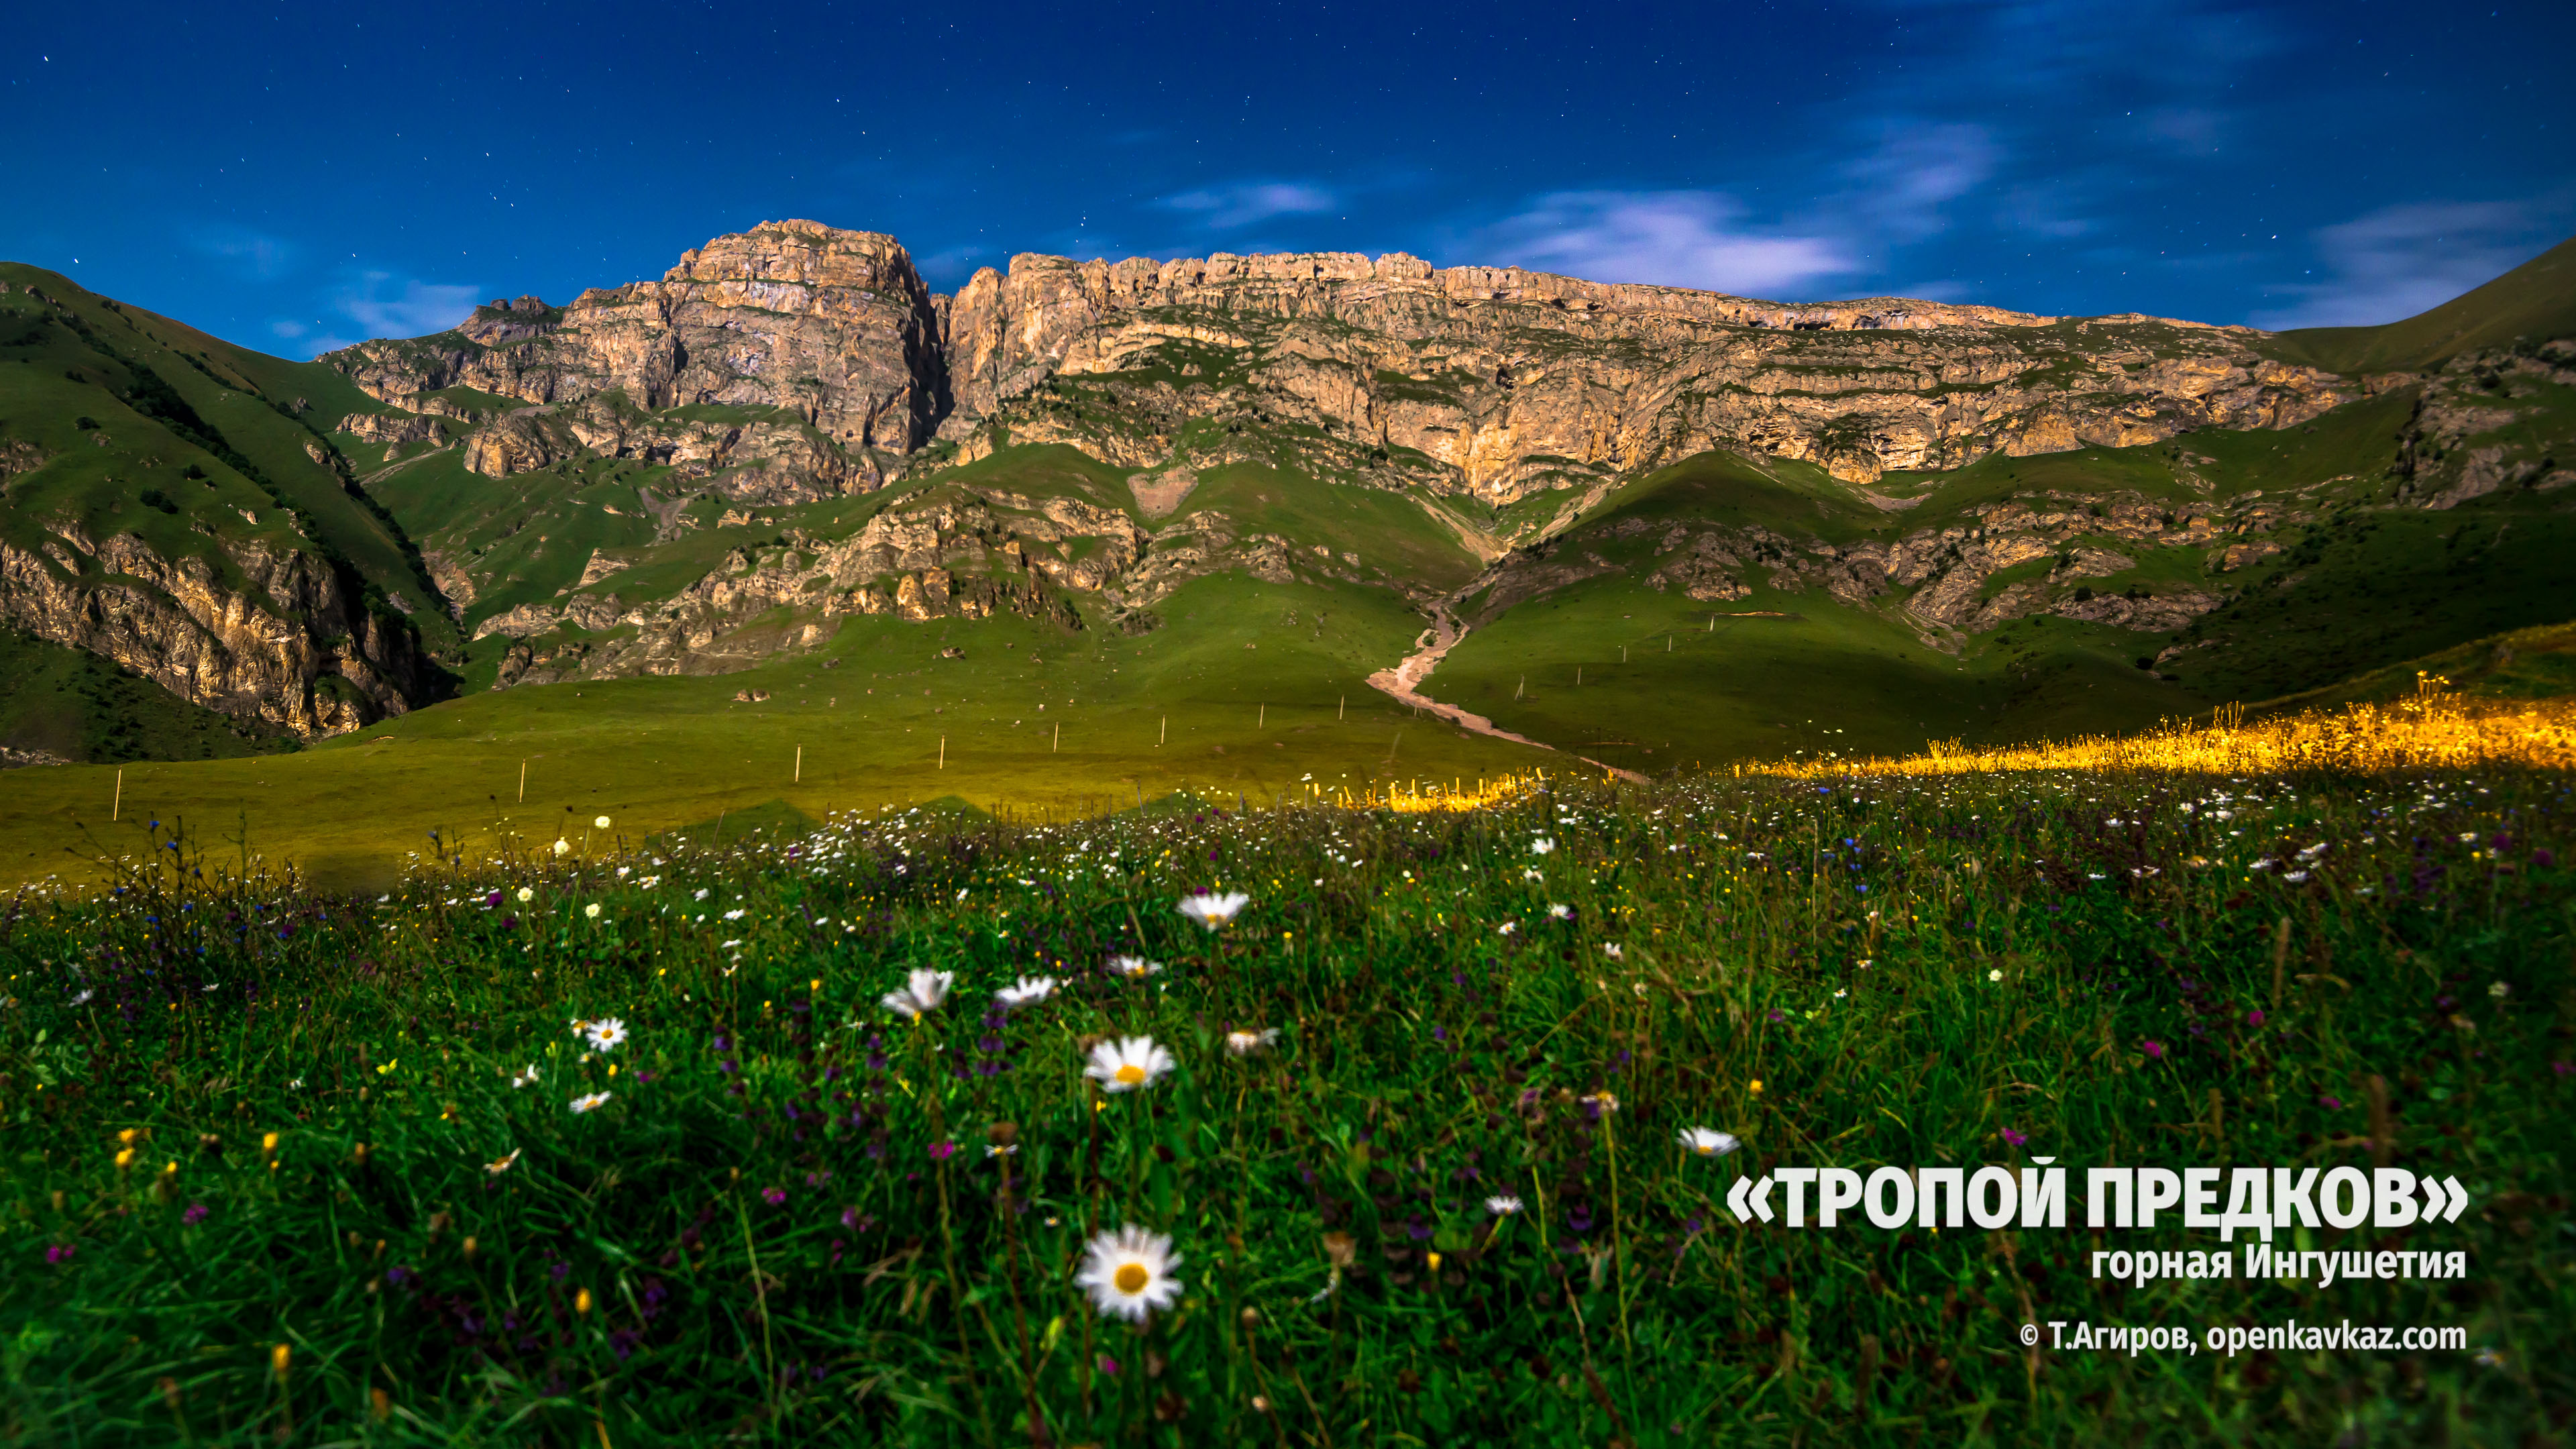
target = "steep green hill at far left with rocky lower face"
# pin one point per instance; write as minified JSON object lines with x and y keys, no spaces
{"x":169,"y":501}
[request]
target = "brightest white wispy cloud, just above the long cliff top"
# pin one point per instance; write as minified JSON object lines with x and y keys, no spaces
{"x":1676,"y":238}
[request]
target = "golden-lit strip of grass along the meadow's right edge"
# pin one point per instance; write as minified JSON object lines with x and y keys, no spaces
{"x":2430,"y":731}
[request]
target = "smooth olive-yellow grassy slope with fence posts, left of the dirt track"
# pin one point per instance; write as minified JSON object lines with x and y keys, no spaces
{"x":666,"y":754}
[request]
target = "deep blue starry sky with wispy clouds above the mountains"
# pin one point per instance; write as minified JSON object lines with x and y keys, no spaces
{"x":298,"y":177}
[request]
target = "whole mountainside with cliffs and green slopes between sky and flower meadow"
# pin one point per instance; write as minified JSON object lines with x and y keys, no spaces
{"x":668,"y":535}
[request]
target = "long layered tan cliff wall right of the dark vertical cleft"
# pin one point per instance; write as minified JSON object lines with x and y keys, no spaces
{"x":1501,"y":378}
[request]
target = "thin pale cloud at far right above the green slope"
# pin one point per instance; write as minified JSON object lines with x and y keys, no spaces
{"x":2400,"y":262}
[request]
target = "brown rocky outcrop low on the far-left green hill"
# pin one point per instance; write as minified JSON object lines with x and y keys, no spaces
{"x":254,"y":633}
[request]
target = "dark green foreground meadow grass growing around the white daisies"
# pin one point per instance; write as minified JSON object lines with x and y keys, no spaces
{"x":756,"y":1236}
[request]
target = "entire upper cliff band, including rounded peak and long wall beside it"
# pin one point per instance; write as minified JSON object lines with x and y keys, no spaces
{"x":1464,"y":380}
